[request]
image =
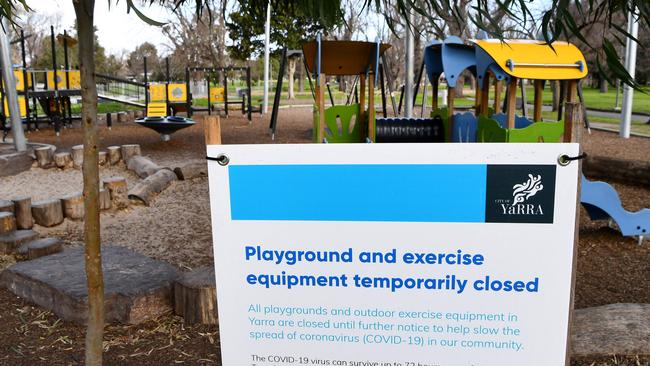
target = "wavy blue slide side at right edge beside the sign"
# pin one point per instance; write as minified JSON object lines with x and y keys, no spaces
{"x":602,"y":202}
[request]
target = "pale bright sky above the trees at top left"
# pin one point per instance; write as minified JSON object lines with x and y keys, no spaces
{"x":117,"y":30}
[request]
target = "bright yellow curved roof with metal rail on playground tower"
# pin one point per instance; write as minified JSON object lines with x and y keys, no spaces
{"x":530,"y":59}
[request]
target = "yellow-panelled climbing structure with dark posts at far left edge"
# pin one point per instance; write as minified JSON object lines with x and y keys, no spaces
{"x":52,"y":90}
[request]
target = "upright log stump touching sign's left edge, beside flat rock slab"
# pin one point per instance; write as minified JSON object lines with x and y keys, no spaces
{"x":195,"y":296}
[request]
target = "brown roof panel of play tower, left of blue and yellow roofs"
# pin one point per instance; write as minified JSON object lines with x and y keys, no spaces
{"x":342,"y":57}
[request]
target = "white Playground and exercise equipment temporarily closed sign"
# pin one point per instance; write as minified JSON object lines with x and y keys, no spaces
{"x":393,"y":254}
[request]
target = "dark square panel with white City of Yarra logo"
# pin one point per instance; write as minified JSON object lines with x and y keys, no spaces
{"x":520,"y":193}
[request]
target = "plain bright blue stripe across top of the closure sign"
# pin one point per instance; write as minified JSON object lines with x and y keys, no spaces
{"x":404,"y":193}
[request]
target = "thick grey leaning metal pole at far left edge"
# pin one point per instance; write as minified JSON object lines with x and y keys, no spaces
{"x":10,"y":89}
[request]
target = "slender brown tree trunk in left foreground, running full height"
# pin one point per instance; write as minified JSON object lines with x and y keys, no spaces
{"x":84,"y":10}
